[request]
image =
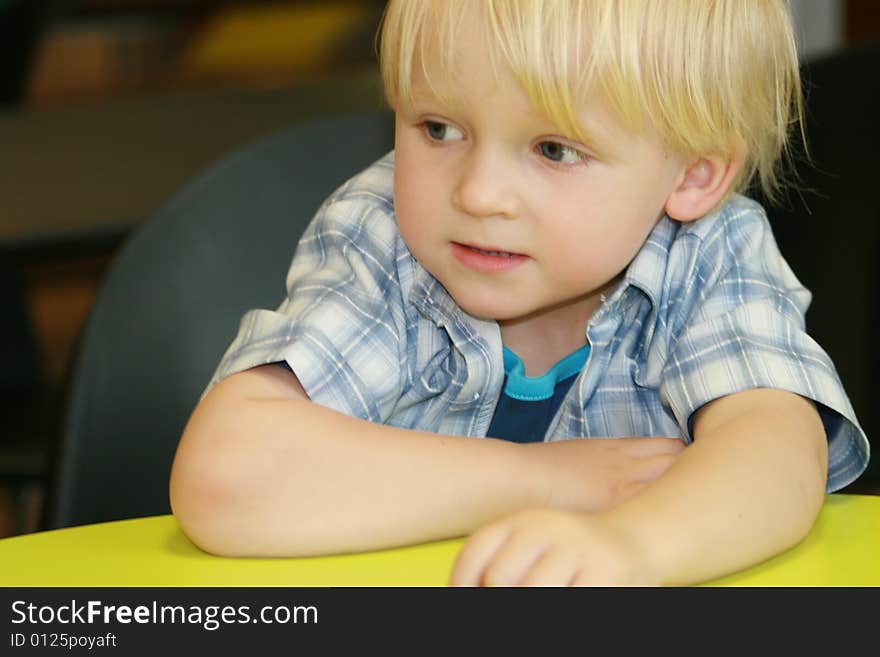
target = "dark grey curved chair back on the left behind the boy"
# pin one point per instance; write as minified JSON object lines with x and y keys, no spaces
{"x":171,"y":303}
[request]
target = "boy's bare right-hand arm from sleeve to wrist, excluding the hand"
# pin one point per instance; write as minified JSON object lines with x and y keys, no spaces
{"x":749,"y":487}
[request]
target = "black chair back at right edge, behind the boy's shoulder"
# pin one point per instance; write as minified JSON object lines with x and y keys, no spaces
{"x":830,"y":231}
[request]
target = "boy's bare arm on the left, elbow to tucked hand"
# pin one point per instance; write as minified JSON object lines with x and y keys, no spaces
{"x":263,"y":471}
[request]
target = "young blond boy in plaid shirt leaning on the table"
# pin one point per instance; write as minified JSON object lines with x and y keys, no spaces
{"x":555,"y":250}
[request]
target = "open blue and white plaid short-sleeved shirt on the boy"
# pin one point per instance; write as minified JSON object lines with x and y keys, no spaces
{"x":705,"y":309}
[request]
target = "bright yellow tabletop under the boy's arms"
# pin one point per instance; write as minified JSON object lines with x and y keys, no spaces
{"x":843,"y":549}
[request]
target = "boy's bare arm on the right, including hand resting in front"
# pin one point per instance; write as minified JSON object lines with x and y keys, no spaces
{"x":749,"y":487}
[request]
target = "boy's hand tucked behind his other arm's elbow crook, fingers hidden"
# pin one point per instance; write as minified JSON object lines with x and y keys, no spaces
{"x":594,"y":474}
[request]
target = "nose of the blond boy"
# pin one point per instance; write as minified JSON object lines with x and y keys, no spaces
{"x":485,"y":186}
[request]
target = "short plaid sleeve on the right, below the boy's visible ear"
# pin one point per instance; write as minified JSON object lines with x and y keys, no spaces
{"x":740,"y":325}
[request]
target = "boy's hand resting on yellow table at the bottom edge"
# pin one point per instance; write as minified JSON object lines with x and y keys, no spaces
{"x":546,"y":547}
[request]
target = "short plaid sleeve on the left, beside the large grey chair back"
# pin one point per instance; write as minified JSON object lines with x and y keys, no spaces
{"x":341,"y":327}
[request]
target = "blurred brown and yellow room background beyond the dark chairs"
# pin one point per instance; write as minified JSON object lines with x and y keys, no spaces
{"x":108,"y":106}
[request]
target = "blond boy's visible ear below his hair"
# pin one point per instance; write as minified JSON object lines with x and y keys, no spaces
{"x":702,"y":184}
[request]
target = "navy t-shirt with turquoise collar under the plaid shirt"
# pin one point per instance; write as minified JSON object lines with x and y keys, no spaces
{"x":527,"y":404}
